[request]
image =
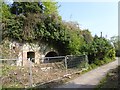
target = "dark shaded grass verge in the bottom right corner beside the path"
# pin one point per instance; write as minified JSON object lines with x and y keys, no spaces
{"x":110,"y":80}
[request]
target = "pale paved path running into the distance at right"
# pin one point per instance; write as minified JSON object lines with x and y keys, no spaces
{"x":92,"y":78}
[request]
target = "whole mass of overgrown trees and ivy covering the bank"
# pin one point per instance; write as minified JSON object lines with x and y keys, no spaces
{"x":32,"y":21}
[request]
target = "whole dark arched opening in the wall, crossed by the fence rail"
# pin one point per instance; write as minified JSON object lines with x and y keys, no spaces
{"x":51,"y":57}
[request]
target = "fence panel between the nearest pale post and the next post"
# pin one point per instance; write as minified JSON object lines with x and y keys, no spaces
{"x":51,"y":69}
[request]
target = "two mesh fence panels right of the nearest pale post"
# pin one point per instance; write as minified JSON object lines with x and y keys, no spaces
{"x":54,"y":68}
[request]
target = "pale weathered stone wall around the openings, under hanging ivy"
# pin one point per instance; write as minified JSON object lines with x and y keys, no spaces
{"x":40,"y":50}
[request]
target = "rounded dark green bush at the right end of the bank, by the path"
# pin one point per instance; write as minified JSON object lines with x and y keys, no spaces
{"x":99,"y":49}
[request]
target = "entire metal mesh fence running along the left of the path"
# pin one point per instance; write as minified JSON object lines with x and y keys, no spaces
{"x":51,"y":69}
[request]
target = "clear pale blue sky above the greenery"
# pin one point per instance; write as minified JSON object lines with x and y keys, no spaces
{"x":95,"y":16}
